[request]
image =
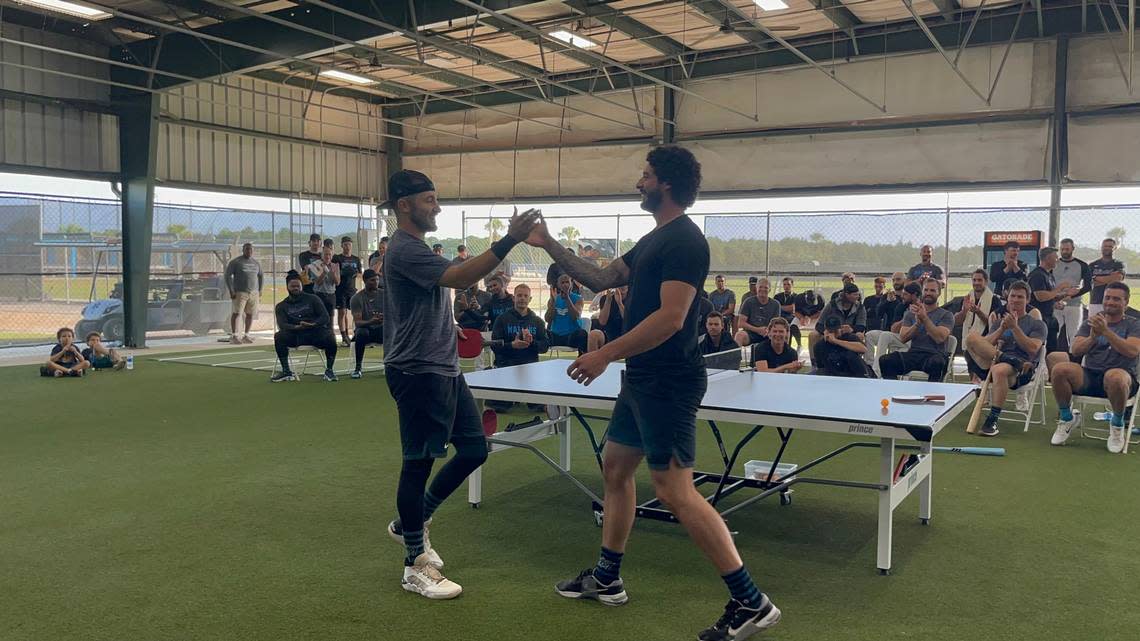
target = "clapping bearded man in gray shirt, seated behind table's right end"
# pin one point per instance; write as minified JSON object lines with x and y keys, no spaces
{"x":927,"y":328}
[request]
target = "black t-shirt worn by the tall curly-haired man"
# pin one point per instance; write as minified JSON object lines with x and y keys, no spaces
{"x":677,"y":251}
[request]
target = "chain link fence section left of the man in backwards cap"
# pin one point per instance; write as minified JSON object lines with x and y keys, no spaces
{"x":61,"y":264}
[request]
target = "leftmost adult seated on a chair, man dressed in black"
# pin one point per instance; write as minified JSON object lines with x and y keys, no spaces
{"x":303,"y":320}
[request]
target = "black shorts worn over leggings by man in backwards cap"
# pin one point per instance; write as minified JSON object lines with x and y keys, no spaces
{"x":435,"y":410}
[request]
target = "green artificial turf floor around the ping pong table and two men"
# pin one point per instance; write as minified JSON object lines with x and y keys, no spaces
{"x":197,"y":504}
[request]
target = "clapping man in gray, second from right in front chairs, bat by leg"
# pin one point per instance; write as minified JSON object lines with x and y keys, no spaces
{"x":1008,"y":352}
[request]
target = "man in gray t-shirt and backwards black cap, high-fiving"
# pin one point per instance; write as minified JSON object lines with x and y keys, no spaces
{"x":422,"y":368}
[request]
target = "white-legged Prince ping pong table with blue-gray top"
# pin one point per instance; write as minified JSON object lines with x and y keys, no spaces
{"x":784,"y":402}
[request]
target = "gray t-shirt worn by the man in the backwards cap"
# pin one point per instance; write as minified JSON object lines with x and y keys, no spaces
{"x":419,"y":322}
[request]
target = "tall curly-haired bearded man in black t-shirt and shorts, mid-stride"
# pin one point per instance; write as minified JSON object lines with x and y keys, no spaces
{"x":665,"y":380}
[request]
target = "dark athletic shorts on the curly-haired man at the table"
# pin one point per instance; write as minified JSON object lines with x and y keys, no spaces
{"x":657,"y":413}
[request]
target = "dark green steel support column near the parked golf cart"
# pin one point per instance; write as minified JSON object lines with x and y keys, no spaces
{"x":139,"y":142}
